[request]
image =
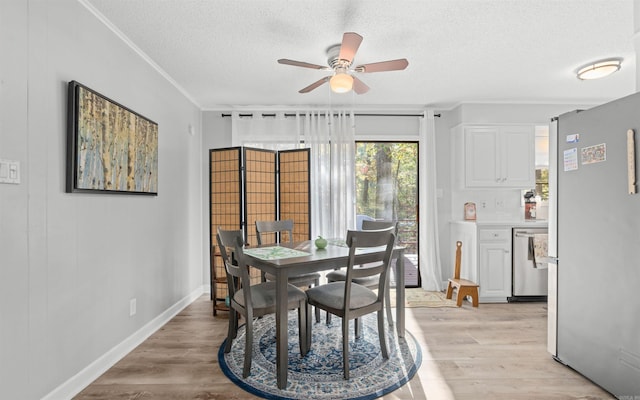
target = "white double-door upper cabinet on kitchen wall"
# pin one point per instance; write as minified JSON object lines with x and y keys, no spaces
{"x":499,"y":156}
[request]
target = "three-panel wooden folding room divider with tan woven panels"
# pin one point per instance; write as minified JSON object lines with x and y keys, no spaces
{"x":248,"y":185}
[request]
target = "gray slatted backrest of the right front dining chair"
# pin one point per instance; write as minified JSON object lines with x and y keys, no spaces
{"x":378,"y":264}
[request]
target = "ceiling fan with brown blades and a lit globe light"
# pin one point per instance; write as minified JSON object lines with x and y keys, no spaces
{"x":340,"y":60}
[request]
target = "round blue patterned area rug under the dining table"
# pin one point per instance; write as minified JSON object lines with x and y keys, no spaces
{"x":319,"y":375}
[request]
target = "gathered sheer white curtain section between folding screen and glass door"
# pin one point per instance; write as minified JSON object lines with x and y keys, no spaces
{"x":331,"y":137}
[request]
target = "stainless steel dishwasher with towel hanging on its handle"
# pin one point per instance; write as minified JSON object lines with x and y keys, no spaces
{"x":529,"y":276}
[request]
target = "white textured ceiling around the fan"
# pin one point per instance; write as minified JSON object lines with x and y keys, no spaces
{"x":223,"y":53}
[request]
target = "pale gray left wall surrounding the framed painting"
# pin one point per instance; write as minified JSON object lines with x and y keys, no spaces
{"x":70,"y":263}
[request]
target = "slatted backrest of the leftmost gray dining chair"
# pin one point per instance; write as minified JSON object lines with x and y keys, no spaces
{"x":236,"y":268}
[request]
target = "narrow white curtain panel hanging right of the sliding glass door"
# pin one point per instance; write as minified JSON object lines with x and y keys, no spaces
{"x":430,"y":269}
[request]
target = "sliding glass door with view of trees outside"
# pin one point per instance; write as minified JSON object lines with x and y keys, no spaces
{"x":387,"y":189}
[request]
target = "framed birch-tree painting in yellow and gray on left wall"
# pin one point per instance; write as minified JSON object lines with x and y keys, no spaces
{"x":110,"y":148}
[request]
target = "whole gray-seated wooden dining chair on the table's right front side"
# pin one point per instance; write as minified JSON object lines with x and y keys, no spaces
{"x":349,"y":300}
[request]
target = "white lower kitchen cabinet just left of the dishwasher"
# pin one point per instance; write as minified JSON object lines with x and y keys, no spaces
{"x":494,"y":264}
